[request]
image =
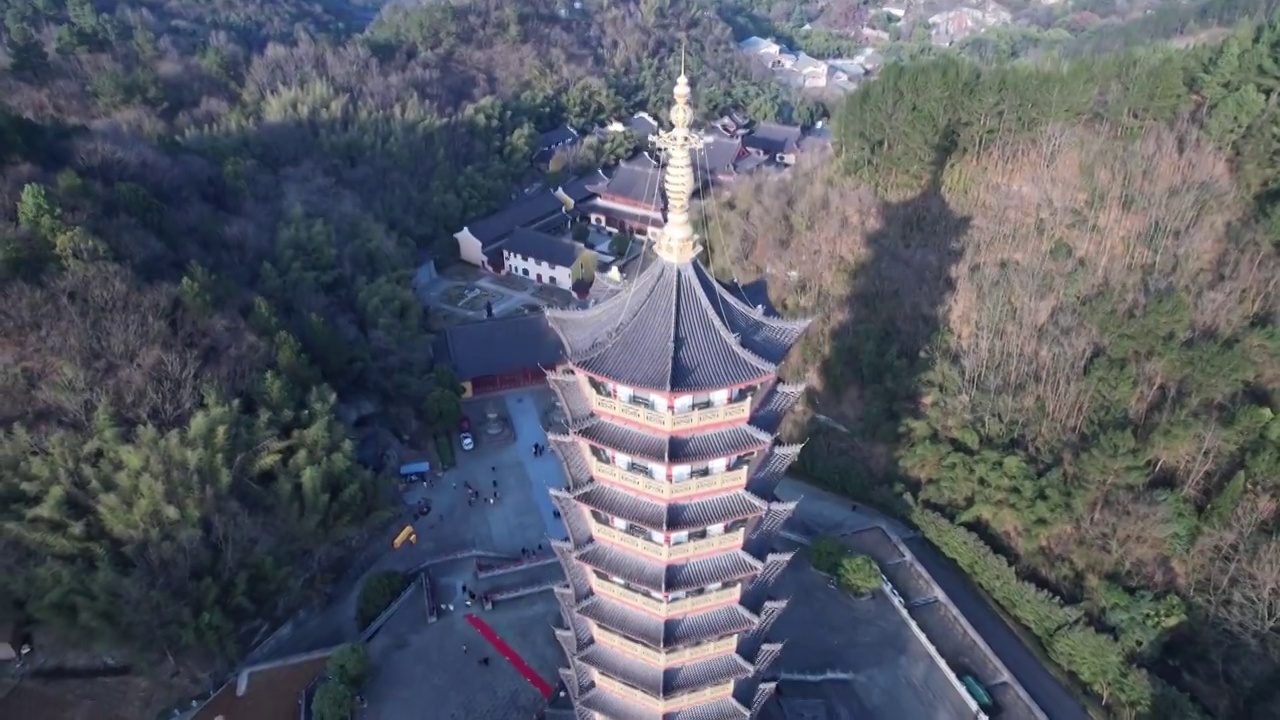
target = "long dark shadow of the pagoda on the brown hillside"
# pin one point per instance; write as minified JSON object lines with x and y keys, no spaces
{"x":879,"y":357}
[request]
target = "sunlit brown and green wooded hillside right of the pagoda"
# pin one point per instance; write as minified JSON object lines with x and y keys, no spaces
{"x":1049,"y":323}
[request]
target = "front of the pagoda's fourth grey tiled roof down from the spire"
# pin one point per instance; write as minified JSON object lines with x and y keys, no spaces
{"x":723,"y":568}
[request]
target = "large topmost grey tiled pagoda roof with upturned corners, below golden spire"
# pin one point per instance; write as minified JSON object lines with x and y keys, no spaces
{"x":675,"y":330}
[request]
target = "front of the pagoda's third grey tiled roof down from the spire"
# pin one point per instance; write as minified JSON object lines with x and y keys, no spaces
{"x":673,"y":517}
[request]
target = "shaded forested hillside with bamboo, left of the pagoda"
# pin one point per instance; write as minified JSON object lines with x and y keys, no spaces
{"x":212,"y":216}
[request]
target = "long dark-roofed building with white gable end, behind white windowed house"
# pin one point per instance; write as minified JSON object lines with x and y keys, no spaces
{"x":481,"y":241}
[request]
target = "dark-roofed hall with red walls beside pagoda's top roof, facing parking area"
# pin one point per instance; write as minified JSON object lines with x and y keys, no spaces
{"x":501,"y":353}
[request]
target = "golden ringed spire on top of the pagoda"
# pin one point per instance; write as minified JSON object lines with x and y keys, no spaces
{"x":678,"y":244}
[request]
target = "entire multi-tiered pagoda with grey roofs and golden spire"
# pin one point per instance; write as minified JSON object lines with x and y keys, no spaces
{"x":673,"y":400}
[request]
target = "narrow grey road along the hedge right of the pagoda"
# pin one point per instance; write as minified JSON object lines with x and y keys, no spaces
{"x":826,"y":513}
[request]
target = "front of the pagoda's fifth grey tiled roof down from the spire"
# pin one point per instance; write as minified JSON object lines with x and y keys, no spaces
{"x":670,"y":634}
